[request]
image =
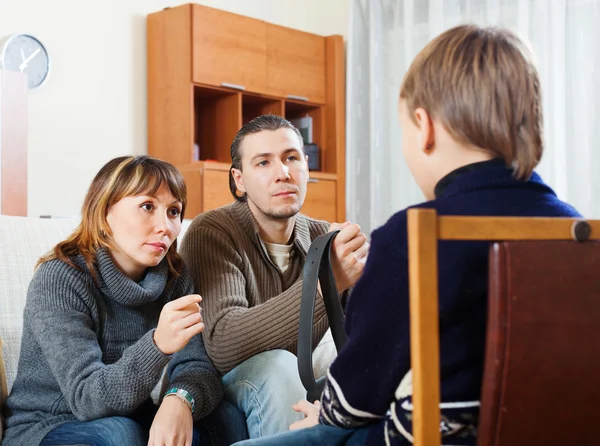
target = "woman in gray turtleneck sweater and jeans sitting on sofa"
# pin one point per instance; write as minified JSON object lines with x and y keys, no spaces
{"x":107,"y":310}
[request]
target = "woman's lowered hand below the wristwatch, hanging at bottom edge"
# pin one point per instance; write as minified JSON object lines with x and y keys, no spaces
{"x":173,"y":424}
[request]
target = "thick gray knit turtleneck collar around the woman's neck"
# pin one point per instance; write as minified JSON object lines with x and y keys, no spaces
{"x":117,"y":286}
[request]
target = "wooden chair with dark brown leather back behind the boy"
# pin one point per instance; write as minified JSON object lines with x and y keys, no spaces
{"x":542,"y":359}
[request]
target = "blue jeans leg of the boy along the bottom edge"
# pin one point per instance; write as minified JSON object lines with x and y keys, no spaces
{"x":318,"y":435}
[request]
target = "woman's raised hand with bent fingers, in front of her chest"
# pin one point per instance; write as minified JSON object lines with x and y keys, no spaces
{"x":179,"y":321}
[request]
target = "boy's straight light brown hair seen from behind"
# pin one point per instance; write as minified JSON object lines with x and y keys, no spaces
{"x":483,"y":86}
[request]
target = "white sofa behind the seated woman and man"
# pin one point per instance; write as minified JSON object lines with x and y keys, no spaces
{"x":23,"y":240}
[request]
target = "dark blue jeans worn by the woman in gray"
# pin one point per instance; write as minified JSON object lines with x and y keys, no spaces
{"x":224,"y":426}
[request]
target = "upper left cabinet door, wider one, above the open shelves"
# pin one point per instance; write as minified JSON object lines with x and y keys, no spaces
{"x":228,"y":49}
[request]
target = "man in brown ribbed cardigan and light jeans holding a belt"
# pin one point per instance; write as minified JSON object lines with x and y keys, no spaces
{"x":247,"y":259}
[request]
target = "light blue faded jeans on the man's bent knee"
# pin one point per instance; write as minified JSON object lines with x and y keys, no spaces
{"x":264,"y":387}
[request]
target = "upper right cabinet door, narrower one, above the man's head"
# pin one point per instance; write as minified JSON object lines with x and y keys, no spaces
{"x":295,"y":64}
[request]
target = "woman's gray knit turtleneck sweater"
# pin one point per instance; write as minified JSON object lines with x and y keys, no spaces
{"x":88,"y":352}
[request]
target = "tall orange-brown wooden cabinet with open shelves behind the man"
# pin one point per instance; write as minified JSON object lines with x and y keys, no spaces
{"x":210,"y":72}
